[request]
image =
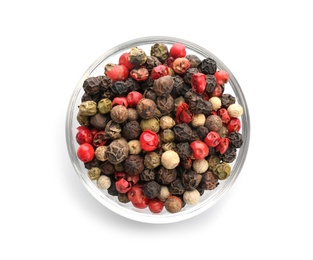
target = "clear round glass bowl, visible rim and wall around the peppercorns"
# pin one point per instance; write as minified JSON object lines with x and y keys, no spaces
{"x":126,"y":209}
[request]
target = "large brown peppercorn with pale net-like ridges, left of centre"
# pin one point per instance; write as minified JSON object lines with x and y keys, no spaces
{"x":117,"y":151}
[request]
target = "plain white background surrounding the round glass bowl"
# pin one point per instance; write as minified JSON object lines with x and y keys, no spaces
{"x":46,"y":213}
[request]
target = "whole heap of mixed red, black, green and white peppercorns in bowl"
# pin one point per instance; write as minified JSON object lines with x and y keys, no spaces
{"x":157,"y":131}
